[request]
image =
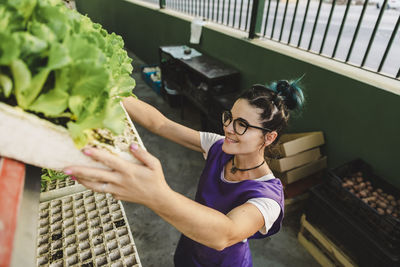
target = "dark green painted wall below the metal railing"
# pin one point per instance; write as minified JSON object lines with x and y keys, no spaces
{"x":358,"y":120}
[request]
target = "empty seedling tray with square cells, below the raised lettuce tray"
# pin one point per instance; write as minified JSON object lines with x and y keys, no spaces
{"x":85,"y":229}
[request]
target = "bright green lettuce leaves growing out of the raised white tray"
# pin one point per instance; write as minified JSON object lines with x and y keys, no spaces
{"x":60,"y":65}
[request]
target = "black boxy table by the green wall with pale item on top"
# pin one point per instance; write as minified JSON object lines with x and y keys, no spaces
{"x":197,"y":77}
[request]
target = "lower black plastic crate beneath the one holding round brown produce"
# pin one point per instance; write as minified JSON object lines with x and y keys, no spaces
{"x":338,"y":225}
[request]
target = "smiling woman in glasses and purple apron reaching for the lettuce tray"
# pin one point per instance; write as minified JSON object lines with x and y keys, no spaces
{"x":230,"y":207}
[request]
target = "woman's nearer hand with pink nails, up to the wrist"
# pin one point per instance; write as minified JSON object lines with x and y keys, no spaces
{"x":126,"y":180}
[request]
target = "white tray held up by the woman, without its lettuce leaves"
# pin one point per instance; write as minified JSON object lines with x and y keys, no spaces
{"x":30,"y":139}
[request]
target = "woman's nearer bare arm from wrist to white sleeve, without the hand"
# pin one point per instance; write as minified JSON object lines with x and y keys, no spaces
{"x":206,"y":225}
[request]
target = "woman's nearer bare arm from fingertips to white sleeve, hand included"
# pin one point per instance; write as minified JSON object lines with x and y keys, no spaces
{"x":145,"y":184}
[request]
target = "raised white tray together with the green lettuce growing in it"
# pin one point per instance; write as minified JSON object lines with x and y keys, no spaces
{"x":62,"y":78}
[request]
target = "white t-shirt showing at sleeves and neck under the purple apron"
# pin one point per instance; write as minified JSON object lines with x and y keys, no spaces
{"x":269,"y":208}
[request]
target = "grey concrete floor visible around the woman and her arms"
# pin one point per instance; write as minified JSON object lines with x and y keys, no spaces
{"x":155,"y":239}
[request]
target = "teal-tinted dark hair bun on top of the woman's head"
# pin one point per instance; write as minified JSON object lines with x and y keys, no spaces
{"x":290,"y":93}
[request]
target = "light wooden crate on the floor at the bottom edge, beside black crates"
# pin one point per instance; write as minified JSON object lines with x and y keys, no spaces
{"x":321,"y":247}
